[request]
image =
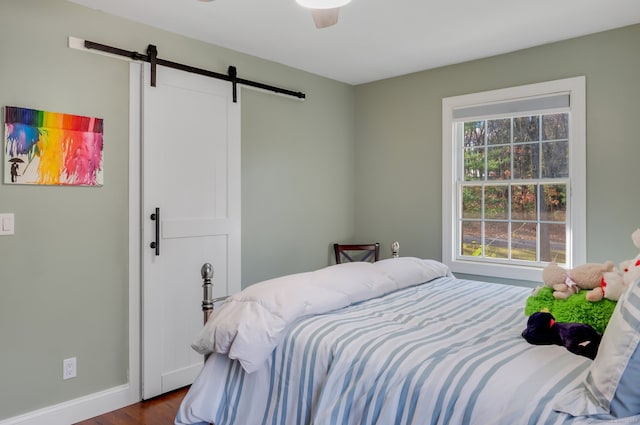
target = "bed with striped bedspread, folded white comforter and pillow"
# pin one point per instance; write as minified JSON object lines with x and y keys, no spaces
{"x":402,"y":341}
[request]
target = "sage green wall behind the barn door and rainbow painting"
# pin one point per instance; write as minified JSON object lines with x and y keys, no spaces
{"x":64,"y":274}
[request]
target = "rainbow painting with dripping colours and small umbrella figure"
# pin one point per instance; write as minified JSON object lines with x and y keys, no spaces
{"x":52,"y":148}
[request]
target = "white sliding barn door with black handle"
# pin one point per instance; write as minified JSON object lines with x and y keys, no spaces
{"x":191,"y":185}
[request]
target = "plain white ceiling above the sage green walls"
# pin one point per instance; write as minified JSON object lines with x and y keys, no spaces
{"x":377,"y":39}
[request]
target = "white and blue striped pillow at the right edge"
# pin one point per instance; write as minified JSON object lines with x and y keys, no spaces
{"x":611,"y":386}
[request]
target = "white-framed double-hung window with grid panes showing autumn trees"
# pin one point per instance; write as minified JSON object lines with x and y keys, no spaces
{"x":514,"y":179}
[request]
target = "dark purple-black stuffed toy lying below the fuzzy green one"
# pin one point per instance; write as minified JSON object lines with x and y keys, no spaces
{"x":579,"y":338}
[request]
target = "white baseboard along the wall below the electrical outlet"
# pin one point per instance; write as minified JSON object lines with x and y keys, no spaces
{"x":77,"y":410}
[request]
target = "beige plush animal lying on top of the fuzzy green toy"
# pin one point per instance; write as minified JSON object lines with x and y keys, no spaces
{"x":568,"y":282}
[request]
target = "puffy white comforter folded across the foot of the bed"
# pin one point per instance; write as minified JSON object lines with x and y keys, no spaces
{"x":250,"y":324}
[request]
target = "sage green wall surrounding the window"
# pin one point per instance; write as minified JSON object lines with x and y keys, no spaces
{"x":399,"y":140}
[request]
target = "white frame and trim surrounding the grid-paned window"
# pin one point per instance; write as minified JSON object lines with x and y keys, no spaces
{"x":452,"y":160}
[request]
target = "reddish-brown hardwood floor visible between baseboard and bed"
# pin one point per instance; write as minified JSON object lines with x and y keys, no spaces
{"x":157,"y":411}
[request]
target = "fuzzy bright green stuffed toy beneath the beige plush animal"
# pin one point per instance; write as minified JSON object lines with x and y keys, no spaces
{"x":576,"y":308}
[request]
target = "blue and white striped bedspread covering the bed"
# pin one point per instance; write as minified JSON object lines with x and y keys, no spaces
{"x":445,"y":352}
